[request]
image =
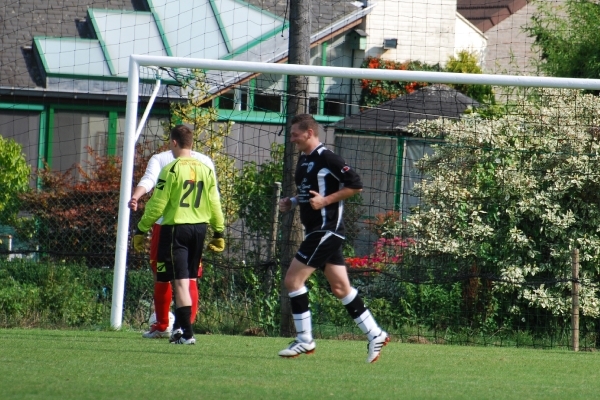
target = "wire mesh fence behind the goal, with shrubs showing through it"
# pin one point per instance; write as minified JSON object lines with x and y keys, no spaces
{"x":464,"y":232}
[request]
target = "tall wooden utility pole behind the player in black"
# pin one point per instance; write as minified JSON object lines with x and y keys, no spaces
{"x":296,"y":103}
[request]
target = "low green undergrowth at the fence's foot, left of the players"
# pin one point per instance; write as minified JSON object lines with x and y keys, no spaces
{"x":67,"y":295}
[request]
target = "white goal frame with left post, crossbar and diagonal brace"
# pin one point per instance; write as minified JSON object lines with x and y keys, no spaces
{"x":245,"y":67}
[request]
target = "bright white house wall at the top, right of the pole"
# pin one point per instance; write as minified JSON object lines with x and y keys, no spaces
{"x":425,"y":30}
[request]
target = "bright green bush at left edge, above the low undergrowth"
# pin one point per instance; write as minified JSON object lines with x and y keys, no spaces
{"x":15,"y":179}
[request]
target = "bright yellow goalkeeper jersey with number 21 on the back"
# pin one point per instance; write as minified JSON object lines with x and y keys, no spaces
{"x":186,"y":193}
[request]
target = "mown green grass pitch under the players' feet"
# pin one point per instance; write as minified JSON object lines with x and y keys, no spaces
{"x":99,"y":365}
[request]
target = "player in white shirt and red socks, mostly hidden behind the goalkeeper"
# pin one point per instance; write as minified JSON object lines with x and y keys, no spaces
{"x":163,"y":290}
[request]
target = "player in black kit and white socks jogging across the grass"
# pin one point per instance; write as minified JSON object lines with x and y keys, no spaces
{"x":323,"y":181}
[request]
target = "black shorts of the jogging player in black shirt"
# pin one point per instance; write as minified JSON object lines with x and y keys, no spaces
{"x":320,"y":248}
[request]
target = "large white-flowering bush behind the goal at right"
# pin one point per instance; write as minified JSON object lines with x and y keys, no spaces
{"x":510,"y":197}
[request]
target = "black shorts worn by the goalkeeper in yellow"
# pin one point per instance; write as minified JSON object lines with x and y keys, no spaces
{"x":179,"y":251}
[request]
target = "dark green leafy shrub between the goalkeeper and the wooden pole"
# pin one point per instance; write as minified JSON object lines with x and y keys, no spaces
{"x":253,"y":190}
